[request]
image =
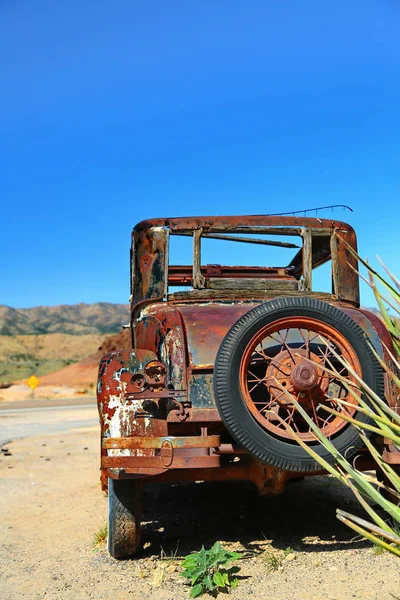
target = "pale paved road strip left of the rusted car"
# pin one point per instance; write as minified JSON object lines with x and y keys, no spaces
{"x":41,"y":417}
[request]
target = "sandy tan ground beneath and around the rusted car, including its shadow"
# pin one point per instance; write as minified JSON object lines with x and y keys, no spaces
{"x":52,"y":505}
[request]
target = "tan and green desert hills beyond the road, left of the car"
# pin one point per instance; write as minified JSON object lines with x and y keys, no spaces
{"x":45,"y":339}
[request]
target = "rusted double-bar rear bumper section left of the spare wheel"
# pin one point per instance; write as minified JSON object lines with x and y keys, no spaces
{"x":148,"y":455}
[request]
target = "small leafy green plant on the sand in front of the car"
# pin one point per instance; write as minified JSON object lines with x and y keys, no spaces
{"x":207,"y":570}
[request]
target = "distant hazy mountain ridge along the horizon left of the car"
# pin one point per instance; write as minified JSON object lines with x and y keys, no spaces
{"x":76,"y":319}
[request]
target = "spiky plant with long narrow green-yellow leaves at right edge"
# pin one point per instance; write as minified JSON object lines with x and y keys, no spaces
{"x":383,"y":532}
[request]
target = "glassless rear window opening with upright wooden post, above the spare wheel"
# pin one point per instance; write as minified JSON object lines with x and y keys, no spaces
{"x":257,"y":254}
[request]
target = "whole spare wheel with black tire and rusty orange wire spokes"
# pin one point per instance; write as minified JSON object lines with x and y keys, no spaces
{"x":281,"y":346}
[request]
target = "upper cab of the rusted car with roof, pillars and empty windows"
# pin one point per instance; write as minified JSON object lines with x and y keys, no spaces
{"x":256,"y":257}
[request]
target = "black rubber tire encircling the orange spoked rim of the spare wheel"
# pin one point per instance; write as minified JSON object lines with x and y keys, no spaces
{"x":270,"y":449}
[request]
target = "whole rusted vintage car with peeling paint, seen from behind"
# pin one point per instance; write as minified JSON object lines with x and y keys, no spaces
{"x":165,"y":415}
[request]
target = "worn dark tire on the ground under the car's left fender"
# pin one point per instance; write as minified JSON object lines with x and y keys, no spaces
{"x":124,"y":515}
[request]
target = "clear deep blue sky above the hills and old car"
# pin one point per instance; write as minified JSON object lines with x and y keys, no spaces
{"x":115,"y":112}
